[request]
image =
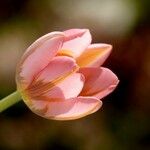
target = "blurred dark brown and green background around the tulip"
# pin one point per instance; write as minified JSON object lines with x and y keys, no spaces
{"x":123,"y":123}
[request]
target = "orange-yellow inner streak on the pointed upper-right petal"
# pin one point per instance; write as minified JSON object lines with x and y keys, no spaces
{"x":90,"y":56}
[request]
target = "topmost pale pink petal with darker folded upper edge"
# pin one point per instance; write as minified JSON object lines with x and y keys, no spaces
{"x":76,"y":41}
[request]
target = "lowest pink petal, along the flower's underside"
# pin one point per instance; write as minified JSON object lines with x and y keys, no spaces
{"x":66,"y":109}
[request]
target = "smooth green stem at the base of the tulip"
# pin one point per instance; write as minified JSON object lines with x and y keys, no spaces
{"x":9,"y":100}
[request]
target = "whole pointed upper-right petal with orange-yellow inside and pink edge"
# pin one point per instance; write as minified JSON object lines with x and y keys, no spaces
{"x":94,"y":55}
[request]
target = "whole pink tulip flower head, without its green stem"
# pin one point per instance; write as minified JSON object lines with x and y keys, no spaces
{"x":59,"y":76}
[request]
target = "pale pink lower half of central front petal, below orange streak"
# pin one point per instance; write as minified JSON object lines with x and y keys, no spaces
{"x":70,"y":87}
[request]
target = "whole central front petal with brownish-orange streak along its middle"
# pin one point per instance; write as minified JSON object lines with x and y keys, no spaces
{"x":52,"y":79}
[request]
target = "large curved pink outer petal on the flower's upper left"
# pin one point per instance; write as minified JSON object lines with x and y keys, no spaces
{"x":38,"y":56}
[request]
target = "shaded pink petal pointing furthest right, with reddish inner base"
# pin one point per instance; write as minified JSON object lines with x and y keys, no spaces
{"x":99,"y":82}
